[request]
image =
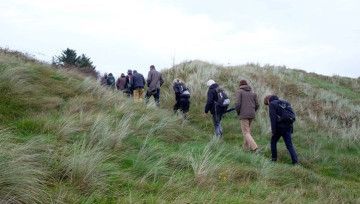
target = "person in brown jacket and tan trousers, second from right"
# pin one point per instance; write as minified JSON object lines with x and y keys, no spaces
{"x":246,"y":106}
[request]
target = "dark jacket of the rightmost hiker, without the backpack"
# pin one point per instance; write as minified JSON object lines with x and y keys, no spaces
{"x":276,"y":127}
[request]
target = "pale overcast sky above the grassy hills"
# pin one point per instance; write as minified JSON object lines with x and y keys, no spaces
{"x":321,"y":36}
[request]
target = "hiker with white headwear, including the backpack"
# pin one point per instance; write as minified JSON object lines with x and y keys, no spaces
{"x":217,"y":103}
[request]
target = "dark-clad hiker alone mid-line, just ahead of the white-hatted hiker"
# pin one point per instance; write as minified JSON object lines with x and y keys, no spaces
{"x":182,"y":97}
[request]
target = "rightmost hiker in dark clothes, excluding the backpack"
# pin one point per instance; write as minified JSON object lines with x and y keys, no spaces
{"x":279,"y":129}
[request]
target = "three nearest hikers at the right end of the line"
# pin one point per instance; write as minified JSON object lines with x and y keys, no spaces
{"x":281,"y":116}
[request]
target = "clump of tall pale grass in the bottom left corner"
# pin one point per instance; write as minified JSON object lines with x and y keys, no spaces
{"x":22,"y":177}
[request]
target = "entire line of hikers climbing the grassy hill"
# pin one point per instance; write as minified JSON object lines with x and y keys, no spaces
{"x":281,"y":114}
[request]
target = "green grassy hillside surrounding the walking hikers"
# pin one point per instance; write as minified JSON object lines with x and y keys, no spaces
{"x":65,"y":139}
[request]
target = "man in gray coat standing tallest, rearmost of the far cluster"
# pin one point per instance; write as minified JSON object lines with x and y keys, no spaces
{"x":154,"y":82}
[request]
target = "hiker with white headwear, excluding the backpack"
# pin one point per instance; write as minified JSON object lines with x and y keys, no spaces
{"x":216,"y":111}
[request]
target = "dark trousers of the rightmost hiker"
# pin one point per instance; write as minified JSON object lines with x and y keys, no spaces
{"x":286,"y":135}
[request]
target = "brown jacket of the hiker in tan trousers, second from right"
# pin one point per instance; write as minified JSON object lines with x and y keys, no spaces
{"x":246,"y":102}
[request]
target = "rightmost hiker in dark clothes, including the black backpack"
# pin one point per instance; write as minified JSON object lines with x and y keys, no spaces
{"x":282,"y":118}
